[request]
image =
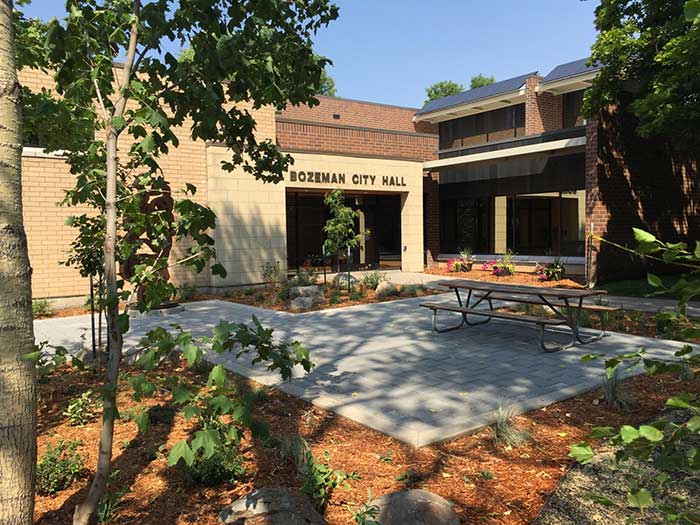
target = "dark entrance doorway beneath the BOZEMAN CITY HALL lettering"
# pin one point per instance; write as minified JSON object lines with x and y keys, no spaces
{"x":378,"y":213}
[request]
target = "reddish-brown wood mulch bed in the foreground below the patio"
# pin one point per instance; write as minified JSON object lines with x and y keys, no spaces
{"x":522,"y":478}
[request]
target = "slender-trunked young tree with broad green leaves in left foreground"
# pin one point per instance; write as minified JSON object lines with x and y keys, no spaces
{"x":116,"y":121}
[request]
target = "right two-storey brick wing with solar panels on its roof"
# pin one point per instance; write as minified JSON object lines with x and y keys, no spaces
{"x":519,"y":169}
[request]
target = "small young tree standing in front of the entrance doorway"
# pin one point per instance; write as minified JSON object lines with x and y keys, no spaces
{"x":340,"y":228}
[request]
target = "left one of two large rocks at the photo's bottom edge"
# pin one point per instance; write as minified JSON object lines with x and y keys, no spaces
{"x":271,"y":506}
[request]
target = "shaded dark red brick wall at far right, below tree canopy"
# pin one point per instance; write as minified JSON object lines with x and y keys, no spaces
{"x":632,"y":182}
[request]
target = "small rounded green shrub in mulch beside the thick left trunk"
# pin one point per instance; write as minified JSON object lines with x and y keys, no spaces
{"x":59,"y":467}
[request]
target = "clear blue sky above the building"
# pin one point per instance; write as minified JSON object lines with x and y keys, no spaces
{"x":391,"y":50}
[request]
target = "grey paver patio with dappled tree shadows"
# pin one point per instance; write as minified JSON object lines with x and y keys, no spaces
{"x":382,"y":366}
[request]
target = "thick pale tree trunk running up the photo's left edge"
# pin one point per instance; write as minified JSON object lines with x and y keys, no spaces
{"x":17,"y":376}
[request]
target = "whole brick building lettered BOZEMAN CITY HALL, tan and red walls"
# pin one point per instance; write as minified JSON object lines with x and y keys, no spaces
{"x":509,"y":166}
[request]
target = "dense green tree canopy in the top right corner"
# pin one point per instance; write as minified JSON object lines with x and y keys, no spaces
{"x":650,"y":50}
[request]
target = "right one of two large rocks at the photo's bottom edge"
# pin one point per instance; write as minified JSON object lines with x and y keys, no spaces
{"x":414,"y":507}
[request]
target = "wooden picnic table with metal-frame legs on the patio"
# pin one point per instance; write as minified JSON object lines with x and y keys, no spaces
{"x":566,"y":303}
